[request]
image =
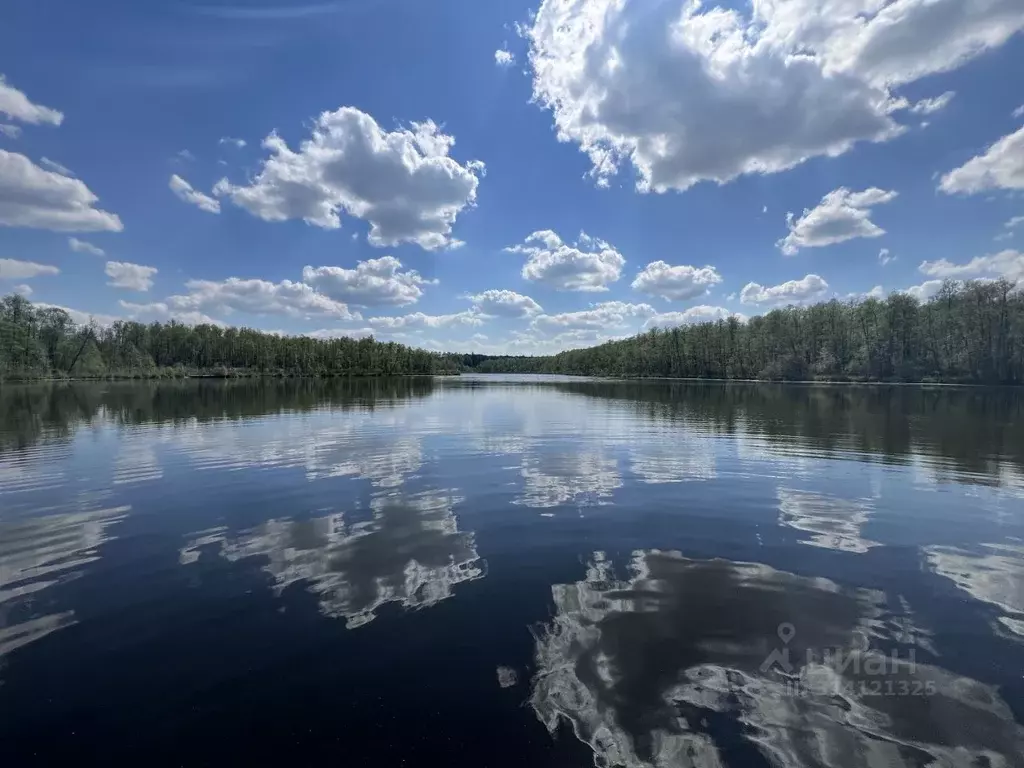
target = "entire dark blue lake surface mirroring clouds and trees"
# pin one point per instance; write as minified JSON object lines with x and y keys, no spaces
{"x":514,"y":572}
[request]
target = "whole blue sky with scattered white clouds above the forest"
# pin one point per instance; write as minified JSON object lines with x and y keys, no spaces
{"x":677,"y":139}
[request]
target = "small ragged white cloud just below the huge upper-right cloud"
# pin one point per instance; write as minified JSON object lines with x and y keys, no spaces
{"x":841,"y":216}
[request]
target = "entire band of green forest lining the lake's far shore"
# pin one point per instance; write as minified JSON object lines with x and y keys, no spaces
{"x":968,"y":333}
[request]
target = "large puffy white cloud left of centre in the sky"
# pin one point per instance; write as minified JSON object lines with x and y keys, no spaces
{"x":404,"y":183}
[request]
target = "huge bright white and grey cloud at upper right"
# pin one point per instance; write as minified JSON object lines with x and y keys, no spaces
{"x":687,"y":92}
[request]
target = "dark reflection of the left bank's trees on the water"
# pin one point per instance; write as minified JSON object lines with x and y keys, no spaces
{"x":33,"y":412}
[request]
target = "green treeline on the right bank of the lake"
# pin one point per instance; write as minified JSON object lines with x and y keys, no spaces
{"x":968,"y":333}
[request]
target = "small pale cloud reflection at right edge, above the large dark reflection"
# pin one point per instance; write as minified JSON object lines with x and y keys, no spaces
{"x":995,"y":576}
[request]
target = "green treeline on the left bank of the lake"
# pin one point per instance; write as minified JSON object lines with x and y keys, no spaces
{"x":45,"y":343}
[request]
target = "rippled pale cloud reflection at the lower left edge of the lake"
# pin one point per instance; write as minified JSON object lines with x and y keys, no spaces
{"x":37,"y":553}
